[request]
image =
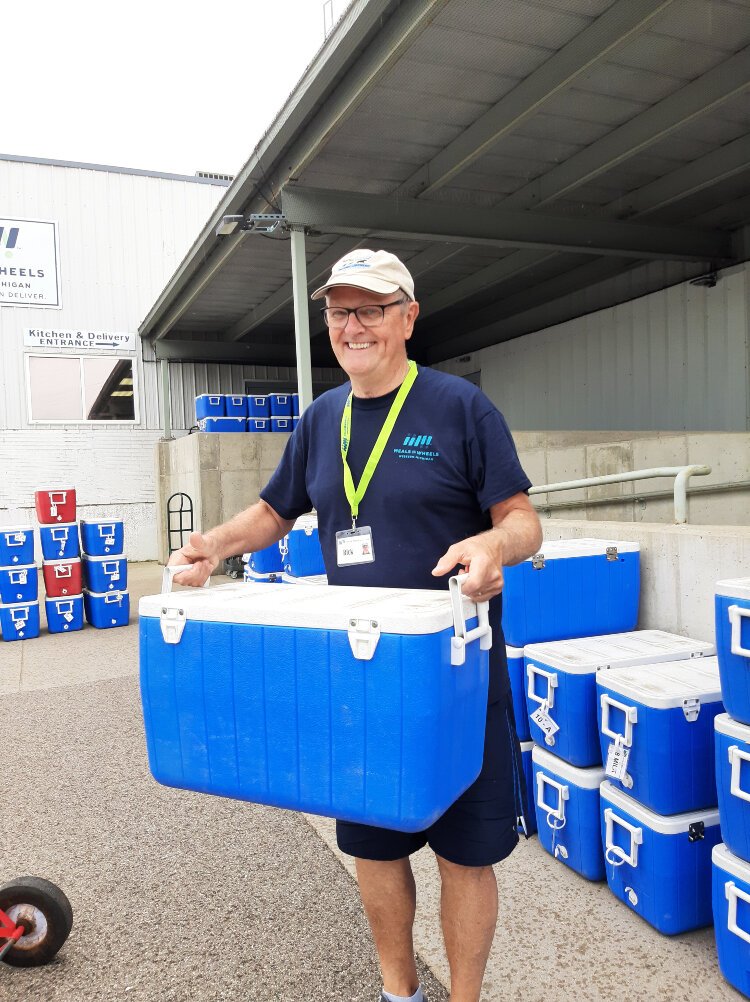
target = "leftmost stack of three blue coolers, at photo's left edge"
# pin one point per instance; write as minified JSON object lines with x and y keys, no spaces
{"x":20,"y":585}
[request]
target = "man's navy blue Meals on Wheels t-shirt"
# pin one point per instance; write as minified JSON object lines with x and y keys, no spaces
{"x":450,"y":458}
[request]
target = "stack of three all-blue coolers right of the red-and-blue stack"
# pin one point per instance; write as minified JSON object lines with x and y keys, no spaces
{"x":107,"y":601}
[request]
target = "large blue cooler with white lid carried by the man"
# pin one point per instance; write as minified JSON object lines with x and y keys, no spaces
{"x":367,"y":705}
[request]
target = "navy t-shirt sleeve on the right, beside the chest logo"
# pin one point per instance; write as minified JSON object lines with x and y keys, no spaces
{"x":495,"y":465}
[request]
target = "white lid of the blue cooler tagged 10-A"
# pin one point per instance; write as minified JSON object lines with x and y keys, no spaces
{"x":617,"y":651}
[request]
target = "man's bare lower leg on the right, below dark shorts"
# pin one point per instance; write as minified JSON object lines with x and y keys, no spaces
{"x":469,"y":913}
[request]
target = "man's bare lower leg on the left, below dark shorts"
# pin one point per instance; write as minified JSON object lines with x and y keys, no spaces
{"x":389,"y":895}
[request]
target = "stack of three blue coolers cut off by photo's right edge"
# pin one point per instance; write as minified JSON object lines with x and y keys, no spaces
{"x":731,"y":861}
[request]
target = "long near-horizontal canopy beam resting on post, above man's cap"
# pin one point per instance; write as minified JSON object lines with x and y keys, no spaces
{"x":344,"y":212}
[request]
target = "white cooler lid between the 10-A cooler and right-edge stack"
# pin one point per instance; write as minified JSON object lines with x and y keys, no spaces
{"x":666,"y":686}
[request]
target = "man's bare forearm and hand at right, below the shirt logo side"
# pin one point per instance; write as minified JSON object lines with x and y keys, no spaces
{"x":516,"y":536}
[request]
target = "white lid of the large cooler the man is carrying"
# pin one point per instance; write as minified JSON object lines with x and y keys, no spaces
{"x":318,"y":607}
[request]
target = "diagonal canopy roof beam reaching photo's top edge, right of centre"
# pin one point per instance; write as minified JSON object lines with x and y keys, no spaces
{"x":598,"y":42}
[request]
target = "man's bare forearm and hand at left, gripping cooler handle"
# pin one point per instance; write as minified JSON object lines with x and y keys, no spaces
{"x":251,"y":531}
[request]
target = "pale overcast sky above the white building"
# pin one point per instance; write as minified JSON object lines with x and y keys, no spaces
{"x":157,"y":85}
